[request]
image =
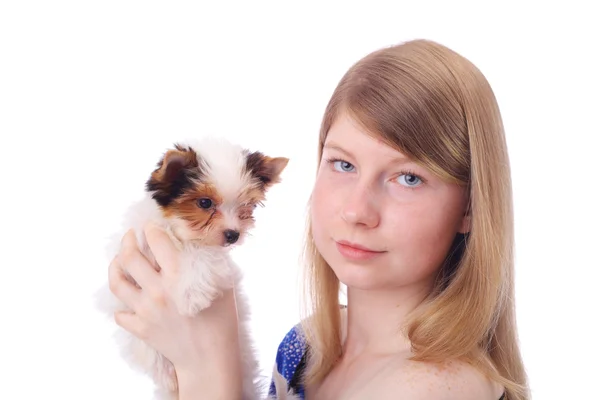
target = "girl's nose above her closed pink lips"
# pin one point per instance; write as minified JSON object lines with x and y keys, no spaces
{"x":360,"y":208}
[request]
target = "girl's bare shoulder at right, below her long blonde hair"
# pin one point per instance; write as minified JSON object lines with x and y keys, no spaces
{"x":452,"y":380}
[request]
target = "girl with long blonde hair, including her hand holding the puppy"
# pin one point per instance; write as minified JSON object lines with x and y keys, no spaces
{"x":412,"y":212}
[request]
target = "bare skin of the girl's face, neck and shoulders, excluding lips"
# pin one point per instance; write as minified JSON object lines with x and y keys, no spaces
{"x":364,"y":195}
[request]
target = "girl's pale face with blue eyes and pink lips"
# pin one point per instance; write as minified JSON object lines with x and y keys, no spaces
{"x":380,"y":220}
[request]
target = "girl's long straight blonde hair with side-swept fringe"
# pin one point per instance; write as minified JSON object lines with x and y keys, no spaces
{"x":435,"y":106}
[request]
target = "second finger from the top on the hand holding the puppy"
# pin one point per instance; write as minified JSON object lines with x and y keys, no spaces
{"x":135,"y":263}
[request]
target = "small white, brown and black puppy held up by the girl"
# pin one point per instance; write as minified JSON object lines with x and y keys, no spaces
{"x":203,"y":193}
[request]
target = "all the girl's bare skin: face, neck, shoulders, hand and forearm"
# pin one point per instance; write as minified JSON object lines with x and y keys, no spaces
{"x":370,"y":201}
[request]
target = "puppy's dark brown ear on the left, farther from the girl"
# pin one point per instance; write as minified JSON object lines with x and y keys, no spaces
{"x":174,"y":174}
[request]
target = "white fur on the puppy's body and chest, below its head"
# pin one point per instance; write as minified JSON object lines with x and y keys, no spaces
{"x":206,"y":272}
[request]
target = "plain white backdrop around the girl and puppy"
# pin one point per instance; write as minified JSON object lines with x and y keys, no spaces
{"x":91,"y":93}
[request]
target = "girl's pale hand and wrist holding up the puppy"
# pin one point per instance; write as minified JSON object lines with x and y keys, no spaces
{"x":188,"y":342}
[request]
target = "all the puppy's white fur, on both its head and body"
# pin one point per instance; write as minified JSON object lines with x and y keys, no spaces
{"x":206,"y":272}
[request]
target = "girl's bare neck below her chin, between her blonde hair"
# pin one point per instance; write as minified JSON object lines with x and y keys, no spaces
{"x":376,"y":319}
